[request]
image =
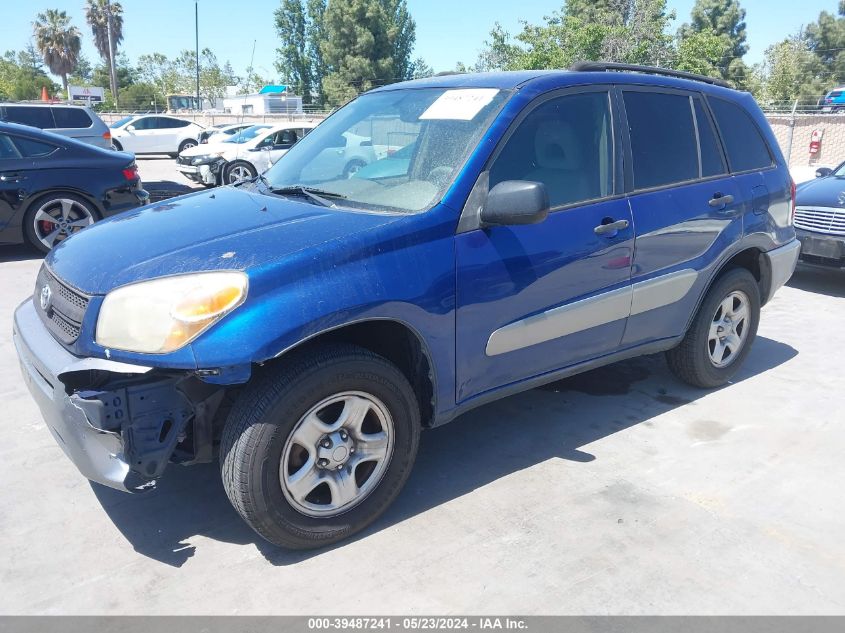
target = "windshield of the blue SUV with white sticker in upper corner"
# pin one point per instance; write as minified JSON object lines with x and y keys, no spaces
{"x":353,"y":153}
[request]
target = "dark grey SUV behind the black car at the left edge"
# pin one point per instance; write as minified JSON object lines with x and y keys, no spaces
{"x":74,"y":121}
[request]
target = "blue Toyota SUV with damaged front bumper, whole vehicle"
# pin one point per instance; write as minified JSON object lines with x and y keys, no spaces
{"x":307,"y":325}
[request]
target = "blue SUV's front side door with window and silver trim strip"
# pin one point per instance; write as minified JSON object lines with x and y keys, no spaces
{"x":535,"y":298}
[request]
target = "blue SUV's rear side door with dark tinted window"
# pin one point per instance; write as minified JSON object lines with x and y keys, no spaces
{"x":685,"y":206}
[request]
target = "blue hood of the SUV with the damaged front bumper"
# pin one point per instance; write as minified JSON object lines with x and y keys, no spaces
{"x":230,"y":228}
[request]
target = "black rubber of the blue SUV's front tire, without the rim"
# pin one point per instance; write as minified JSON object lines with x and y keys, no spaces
{"x":267,"y":412}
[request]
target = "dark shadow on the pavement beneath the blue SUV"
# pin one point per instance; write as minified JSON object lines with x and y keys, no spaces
{"x":480,"y":447}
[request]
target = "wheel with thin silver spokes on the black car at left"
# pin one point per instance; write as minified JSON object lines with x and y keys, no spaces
{"x":55,"y":217}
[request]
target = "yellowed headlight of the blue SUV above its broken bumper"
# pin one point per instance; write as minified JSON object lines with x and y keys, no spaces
{"x":162,"y":315}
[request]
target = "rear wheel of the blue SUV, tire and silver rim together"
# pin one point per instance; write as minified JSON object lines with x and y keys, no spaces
{"x":721,"y":334}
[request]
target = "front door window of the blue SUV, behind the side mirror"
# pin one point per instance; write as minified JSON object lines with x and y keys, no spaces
{"x":565,"y":143}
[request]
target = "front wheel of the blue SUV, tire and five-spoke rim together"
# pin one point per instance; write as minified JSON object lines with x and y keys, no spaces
{"x":316,"y":449}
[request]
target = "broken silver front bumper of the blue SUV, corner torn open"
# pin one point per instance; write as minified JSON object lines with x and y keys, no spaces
{"x":120,"y":424}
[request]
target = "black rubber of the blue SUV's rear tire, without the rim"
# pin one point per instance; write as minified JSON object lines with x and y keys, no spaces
{"x":691,"y":361}
